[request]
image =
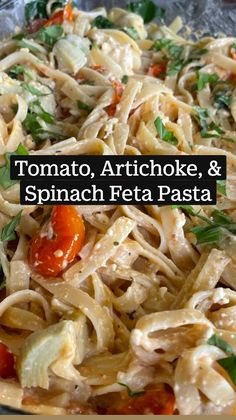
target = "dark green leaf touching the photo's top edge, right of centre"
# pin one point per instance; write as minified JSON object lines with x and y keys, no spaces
{"x":147,"y":9}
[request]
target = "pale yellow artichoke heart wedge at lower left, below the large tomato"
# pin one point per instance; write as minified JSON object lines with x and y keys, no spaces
{"x":54,"y":346}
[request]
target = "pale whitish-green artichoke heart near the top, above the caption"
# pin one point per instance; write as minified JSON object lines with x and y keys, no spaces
{"x":71,"y":53}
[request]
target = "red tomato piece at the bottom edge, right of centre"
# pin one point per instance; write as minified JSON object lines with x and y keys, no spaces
{"x":153,"y":401}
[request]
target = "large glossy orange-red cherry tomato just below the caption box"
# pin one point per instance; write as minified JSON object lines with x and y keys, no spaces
{"x":58,"y":243}
